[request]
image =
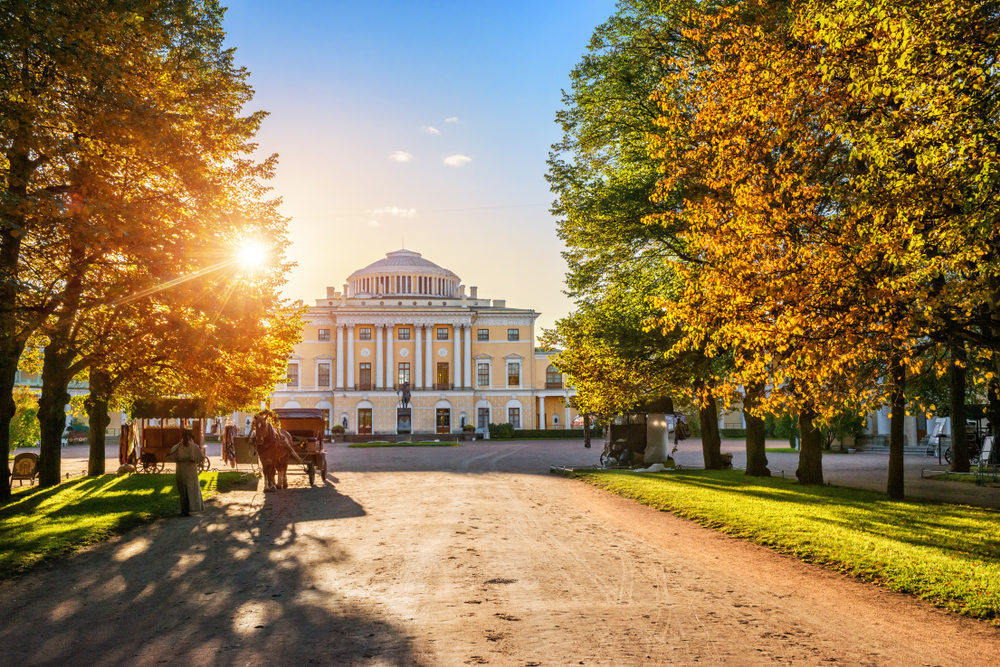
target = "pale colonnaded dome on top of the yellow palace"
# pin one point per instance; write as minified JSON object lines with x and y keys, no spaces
{"x":404,"y":273}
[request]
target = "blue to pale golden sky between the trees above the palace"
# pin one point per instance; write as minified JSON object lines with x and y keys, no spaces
{"x":351,"y":84}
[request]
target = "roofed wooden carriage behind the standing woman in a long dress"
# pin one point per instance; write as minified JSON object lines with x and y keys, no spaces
{"x":160,"y":423}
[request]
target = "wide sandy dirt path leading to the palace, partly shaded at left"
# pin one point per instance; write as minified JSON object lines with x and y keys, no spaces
{"x":453,"y":556}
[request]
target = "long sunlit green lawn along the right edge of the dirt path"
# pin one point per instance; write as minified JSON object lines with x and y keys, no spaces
{"x":946,"y":554}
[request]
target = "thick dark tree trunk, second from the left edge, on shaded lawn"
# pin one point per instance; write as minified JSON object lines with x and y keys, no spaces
{"x":56,"y":377}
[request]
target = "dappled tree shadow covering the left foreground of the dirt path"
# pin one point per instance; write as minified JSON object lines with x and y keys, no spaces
{"x":251,"y":582}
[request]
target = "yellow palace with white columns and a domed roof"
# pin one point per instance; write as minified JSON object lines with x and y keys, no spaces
{"x":401,"y":320}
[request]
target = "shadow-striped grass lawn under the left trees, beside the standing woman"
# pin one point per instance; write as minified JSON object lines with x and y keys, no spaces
{"x":39,"y":524}
